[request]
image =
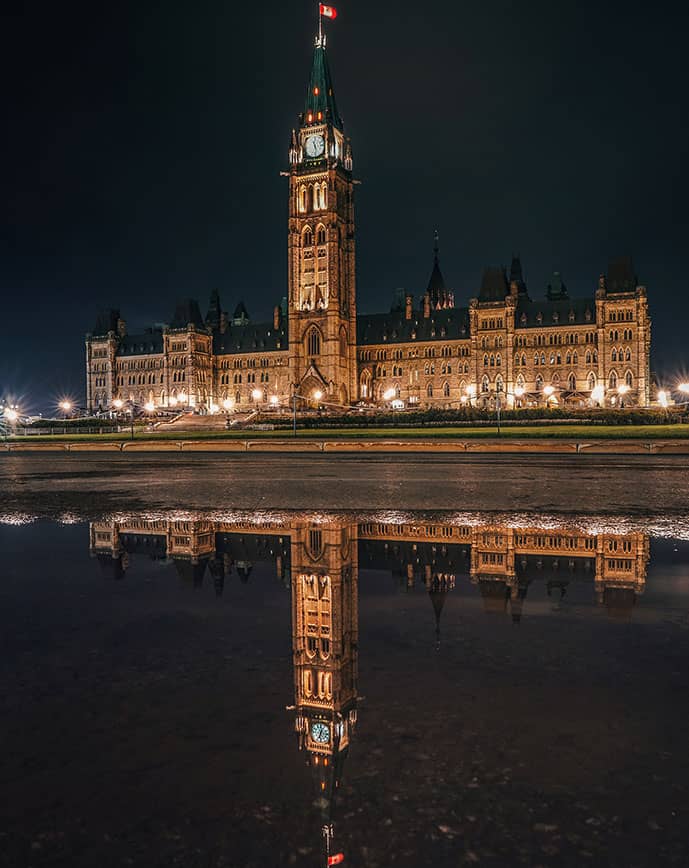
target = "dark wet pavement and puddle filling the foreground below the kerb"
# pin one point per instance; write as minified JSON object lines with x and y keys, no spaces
{"x":490,"y":682}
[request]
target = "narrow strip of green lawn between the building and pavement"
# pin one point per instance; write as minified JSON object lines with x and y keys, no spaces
{"x":575,"y":432}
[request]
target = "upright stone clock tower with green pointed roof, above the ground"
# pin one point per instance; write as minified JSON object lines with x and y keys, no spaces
{"x":321,"y":254}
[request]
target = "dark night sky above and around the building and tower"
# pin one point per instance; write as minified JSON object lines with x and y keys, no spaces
{"x":143,"y":143}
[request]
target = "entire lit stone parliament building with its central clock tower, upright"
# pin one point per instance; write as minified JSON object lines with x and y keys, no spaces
{"x":505,"y":347}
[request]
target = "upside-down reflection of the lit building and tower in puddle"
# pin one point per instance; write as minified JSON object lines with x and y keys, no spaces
{"x":318,"y":560}
